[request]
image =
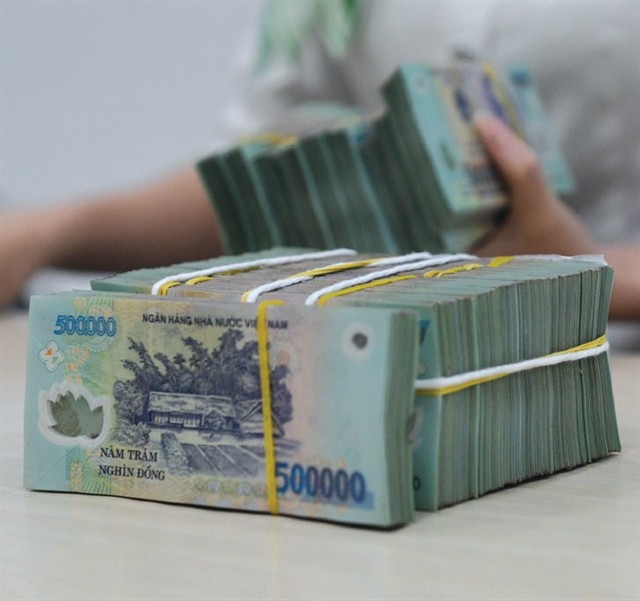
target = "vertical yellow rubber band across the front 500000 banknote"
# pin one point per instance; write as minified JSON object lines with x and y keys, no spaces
{"x":265,"y":386}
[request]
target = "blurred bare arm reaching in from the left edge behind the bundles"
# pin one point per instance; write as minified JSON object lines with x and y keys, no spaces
{"x":165,"y":221}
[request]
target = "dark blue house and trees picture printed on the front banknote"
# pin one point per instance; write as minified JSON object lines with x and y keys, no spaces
{"x":203,"y":405}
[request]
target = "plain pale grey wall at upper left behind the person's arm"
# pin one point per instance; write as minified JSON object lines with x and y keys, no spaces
{"x":103,"y":94}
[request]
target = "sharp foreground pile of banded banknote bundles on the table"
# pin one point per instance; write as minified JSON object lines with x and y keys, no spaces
{"x":323,"y":384}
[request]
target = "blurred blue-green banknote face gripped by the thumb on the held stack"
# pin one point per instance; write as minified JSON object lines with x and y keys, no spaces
{"x":439,"y":103}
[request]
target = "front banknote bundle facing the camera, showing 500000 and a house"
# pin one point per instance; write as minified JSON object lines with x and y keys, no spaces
{"x":164,"y":399}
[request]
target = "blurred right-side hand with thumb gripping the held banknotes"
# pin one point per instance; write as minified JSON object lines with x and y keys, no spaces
{"x":537,"y":222}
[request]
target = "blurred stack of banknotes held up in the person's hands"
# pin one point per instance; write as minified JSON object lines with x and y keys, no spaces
{"x":414,"y":177}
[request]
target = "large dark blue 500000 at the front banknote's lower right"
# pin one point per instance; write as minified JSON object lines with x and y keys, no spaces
{"x":322,"y":483}
